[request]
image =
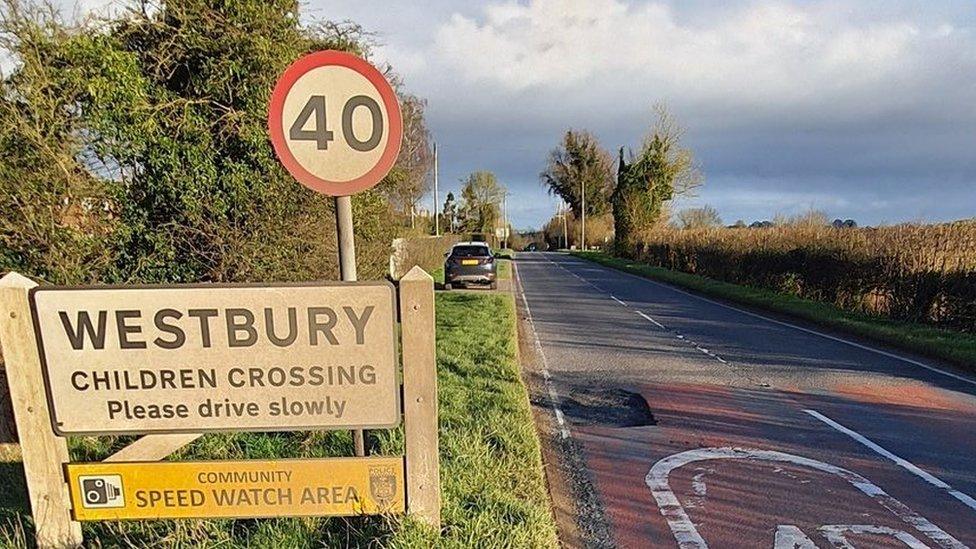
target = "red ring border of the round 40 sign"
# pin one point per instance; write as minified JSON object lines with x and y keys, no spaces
{"x":335,"y":58}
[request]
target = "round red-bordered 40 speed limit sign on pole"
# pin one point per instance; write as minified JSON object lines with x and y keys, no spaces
{"x":335,"y":123}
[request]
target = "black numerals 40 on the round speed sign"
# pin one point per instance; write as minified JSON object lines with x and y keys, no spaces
{"x":322,"y":135}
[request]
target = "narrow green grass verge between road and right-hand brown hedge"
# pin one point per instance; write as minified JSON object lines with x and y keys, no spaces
{"x":956,"y":347}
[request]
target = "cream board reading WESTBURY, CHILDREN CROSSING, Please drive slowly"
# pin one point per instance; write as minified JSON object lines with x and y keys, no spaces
{"x":205,"y":358}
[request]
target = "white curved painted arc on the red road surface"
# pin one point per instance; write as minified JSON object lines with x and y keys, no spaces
{"x":686,"y":533}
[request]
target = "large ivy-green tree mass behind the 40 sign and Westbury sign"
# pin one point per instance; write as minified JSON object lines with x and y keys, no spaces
{"x":145,"y":136}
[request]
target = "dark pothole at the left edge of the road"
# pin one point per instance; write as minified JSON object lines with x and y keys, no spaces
{"x":612,"y":407}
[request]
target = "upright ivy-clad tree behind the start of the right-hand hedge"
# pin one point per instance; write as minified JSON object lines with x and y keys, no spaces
{"x":663,"y":169}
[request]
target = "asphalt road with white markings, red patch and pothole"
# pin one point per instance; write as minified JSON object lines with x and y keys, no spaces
{"x":757,"y":432}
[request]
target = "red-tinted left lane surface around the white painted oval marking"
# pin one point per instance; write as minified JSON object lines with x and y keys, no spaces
{"x":744,"y":502}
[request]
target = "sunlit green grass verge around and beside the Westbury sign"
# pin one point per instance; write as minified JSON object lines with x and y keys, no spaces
{"x":492,"y":481}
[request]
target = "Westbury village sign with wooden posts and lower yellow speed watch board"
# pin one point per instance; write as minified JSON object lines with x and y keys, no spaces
{"x":161,"y":360}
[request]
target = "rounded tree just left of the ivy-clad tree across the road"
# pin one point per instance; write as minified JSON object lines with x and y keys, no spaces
{"x":580,"y":163}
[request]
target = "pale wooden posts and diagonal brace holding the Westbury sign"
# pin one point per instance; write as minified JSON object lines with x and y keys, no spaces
{"x":45,"y":454}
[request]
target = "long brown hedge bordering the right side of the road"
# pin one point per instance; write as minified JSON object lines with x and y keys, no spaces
{"x":914,"y":273}
